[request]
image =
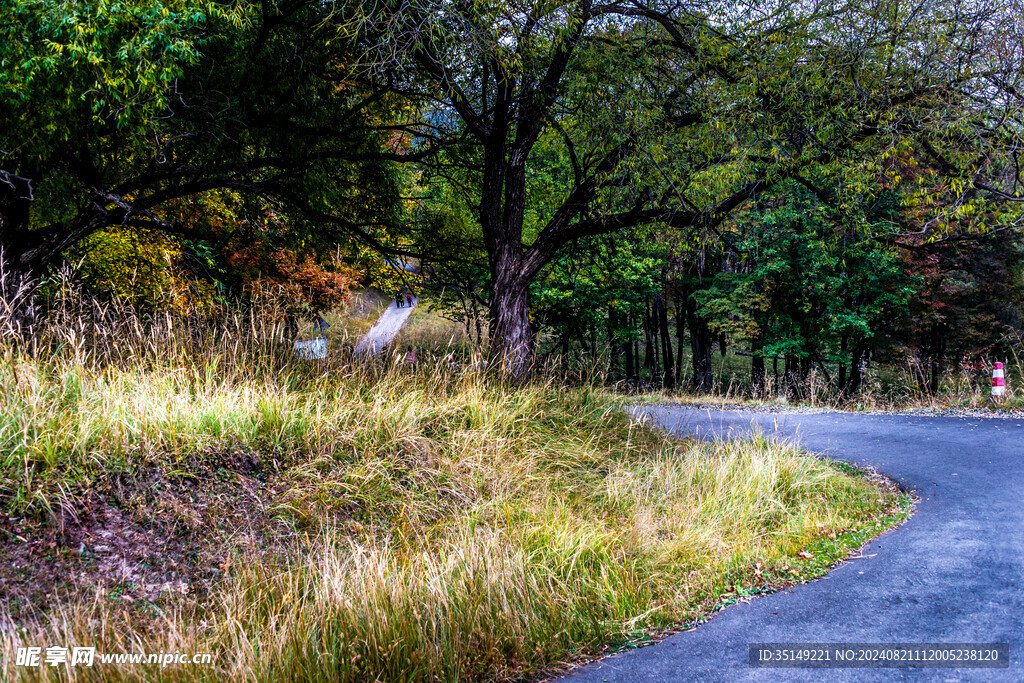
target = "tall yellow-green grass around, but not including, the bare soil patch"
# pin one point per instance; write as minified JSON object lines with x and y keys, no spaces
{"x":447,"y":528}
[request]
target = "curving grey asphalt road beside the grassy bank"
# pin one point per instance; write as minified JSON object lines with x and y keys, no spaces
{"x":954,"y":573}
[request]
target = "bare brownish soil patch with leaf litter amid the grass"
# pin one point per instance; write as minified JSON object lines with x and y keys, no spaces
{"x":145,"y":538}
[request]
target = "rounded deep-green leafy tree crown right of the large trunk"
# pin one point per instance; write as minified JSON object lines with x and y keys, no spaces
{"x":806,"y":285}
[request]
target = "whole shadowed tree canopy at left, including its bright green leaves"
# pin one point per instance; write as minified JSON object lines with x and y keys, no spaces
{"x":118,"y":111}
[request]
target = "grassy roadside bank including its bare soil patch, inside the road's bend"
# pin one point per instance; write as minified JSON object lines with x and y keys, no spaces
{"x":327,"y":523}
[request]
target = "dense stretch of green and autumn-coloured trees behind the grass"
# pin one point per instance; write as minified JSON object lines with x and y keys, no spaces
{"x":635,"y":185}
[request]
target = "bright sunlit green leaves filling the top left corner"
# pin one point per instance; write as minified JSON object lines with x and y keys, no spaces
{"x":90,"y":79}
